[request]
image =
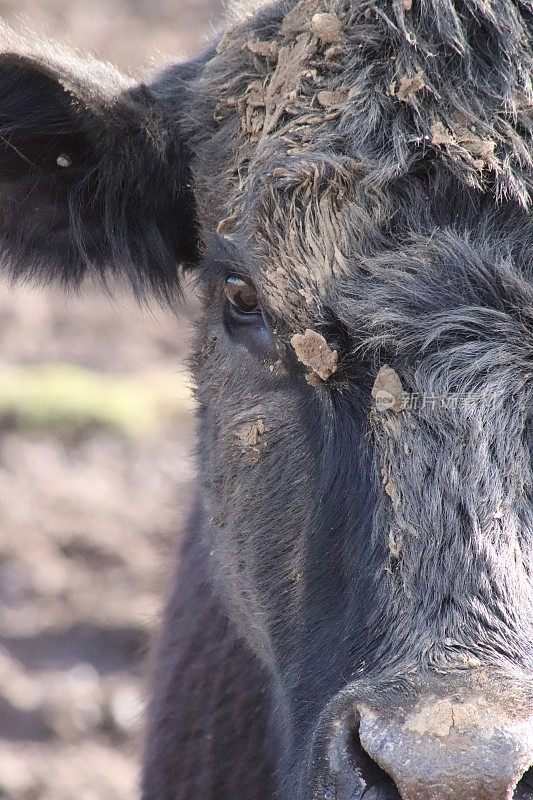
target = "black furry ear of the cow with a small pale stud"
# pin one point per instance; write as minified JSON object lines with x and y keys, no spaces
{"x":93,"y":176}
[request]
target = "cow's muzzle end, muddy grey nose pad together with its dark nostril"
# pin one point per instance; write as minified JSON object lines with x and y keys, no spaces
{"x":432,"y":746}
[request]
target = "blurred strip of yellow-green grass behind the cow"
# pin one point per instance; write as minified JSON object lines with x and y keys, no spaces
{"x":64,"y":397}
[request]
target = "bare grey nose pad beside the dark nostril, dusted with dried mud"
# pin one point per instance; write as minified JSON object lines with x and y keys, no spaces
{"x":445,"y":750}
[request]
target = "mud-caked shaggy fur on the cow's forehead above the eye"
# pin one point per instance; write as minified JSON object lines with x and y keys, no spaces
{"x":323,"y":110}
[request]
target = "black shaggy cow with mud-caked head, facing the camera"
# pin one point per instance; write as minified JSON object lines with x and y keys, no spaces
{"x":351,"y":181}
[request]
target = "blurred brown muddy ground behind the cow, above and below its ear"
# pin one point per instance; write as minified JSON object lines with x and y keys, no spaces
{"x":96,"y":475}
